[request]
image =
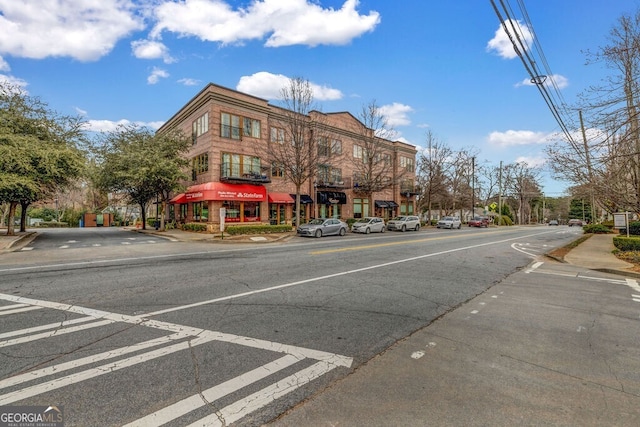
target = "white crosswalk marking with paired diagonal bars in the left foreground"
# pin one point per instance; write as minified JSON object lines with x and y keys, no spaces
{"x":181,"y":338}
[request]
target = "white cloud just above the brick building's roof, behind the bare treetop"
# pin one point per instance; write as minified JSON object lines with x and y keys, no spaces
{"x":269,"y":86}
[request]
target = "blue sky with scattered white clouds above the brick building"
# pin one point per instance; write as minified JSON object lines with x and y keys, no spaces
{"x":431,"y":65}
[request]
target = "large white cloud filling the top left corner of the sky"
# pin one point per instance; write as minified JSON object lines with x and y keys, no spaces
{"x":82,"y":29}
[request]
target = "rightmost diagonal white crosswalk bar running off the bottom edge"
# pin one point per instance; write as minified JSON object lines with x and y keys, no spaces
{"x":249,"y":404}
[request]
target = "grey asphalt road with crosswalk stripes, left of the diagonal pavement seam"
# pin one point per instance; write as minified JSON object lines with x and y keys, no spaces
{"x":142,"y":330}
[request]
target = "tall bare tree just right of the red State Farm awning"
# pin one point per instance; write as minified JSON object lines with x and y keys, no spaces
{"x":292,"y":149}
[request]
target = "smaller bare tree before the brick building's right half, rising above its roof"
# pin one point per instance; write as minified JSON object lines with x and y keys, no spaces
{"x":373,"y":165}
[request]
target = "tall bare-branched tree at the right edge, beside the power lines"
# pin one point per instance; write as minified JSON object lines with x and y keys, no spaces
{"x":607,"y":161}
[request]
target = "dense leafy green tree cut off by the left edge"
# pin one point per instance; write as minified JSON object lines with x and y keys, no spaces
{"x":39,"y":151}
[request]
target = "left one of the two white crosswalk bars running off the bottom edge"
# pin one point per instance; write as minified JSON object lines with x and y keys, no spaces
{"x":212,"y":394}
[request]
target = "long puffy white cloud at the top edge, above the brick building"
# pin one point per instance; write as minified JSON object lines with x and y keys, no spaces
{"x":284,"y":23}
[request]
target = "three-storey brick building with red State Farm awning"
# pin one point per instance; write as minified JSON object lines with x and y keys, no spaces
{"x":228,"y":129}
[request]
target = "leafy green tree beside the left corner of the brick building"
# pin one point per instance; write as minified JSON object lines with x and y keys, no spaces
{"x":134,"y":161}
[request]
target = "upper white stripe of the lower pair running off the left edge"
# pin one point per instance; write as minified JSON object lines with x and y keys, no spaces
{"x":55,"y":369}
